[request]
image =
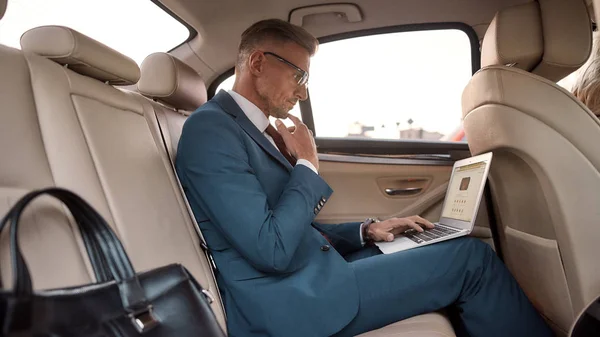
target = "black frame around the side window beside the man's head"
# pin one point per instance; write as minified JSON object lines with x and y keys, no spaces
{"x":381,"y":147}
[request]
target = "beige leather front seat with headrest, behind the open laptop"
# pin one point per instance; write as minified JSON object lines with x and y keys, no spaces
{"x":545,"y":174}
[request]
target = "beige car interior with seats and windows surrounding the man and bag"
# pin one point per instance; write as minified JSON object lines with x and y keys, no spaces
{"x":452,"y":79}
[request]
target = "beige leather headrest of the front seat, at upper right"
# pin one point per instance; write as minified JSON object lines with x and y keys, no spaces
{"x":549,"y":38}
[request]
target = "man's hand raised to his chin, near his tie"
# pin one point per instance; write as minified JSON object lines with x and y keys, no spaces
{"x":299,"y":140}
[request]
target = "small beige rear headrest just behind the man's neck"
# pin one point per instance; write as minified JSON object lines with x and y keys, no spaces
{"x":169,"y":80}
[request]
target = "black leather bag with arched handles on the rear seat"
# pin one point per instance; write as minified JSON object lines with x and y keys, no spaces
{"x":166,"y":301}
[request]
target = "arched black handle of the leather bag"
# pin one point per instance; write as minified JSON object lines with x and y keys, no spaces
{"x":107,"y":255}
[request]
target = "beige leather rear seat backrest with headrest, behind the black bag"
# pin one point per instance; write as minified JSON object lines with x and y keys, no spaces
{"x":78,"y":132}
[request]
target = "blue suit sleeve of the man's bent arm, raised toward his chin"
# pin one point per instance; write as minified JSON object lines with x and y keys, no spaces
{"x":213,"y":164}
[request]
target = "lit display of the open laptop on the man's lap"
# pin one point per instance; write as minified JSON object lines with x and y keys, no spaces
{"x":463,"y":192}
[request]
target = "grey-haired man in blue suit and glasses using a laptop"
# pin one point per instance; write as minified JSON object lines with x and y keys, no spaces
{"x":255,"y":191}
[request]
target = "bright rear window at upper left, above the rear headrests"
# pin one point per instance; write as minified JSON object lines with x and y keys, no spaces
{"x":110,"y":22}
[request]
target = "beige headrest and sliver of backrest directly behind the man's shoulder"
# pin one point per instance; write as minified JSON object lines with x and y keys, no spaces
{"x":177,"y":87}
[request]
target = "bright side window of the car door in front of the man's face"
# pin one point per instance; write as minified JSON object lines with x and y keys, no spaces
{"x":404,"y":85}
